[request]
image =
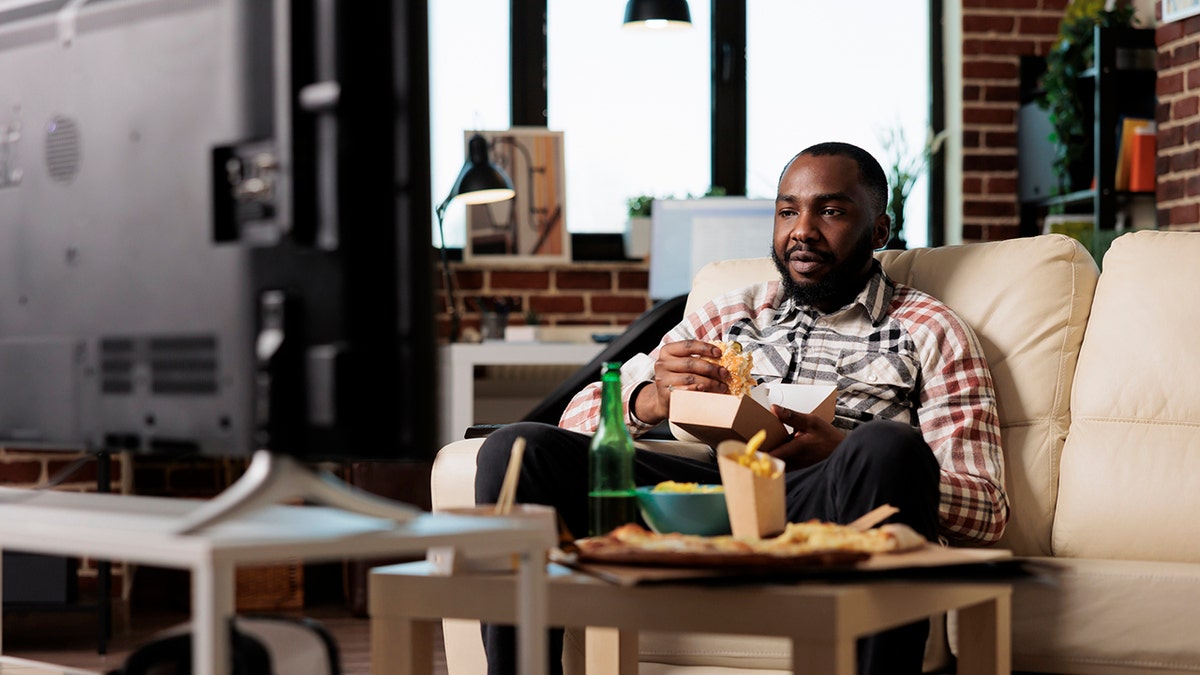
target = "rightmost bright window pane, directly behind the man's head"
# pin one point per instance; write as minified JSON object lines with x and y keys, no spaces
{"x":836,"y":71}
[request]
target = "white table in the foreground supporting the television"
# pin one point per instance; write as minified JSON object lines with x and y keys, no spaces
{"x":143,"y":530}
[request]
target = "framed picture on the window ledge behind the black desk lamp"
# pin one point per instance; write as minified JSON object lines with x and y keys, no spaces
{"x":531,"y":228}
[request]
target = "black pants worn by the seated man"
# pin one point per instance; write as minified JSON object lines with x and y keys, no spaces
{"x":879,"y":463}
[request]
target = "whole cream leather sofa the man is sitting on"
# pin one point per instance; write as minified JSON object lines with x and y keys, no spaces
{"x":1100,"y":413}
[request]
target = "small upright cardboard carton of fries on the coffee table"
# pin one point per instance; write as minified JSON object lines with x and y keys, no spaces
{"x":757,"y":504}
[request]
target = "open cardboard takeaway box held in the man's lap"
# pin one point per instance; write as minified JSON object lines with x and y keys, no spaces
{"x":712,"y":419}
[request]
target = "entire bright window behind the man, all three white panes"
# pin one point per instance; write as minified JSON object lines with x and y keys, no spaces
{"x":635,"y":109}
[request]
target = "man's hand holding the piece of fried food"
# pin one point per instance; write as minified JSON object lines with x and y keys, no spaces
{"x":680,"y":367}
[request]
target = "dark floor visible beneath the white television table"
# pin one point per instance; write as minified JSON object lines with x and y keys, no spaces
{"x":69,"y":638}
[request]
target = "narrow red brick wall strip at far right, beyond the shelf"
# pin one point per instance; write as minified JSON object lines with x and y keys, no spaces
{"x":1179,"y":124}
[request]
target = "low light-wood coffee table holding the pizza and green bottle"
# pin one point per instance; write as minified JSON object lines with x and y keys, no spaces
{"x":824,"y":620}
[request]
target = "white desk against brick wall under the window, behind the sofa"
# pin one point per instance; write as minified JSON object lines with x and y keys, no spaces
{"x":458,"y":366}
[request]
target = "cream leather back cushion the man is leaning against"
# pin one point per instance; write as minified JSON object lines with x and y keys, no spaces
{"x":1028,"y":301}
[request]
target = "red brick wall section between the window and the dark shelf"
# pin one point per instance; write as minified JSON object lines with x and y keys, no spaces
{"x":995,"y":35}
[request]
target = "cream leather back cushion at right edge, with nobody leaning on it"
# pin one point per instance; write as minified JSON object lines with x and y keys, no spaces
{"x":1129,"y":474}
